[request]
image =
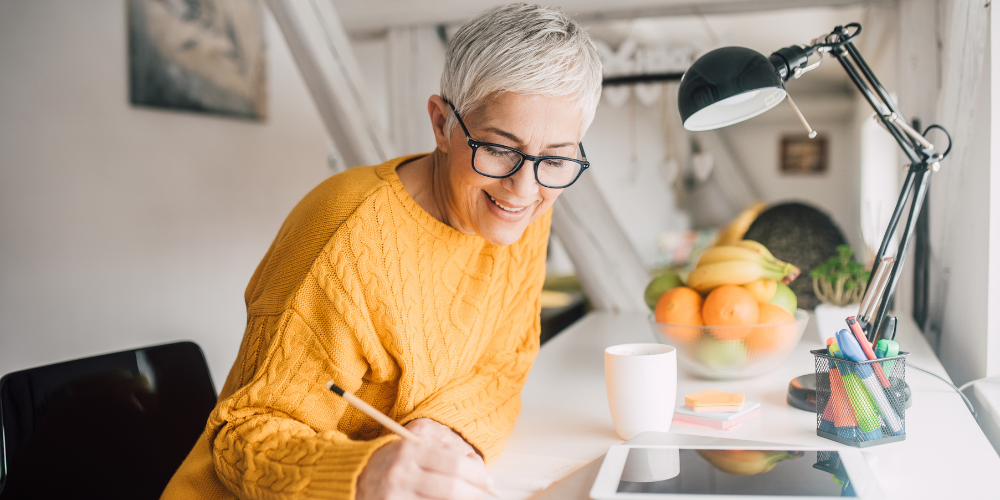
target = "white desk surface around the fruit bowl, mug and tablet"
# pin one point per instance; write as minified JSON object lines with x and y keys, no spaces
{"x":565,"y":412}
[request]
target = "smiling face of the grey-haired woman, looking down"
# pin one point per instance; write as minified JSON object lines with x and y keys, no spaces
{"x":499,"y":210}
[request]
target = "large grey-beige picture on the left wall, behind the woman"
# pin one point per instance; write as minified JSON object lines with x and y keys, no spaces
{"x":198,"y":55}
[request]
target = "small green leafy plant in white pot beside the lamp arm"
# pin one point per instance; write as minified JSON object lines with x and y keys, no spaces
{"x":839,"y":284}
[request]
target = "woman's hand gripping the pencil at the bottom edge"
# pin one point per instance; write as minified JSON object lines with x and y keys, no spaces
{"x":408,"y":470}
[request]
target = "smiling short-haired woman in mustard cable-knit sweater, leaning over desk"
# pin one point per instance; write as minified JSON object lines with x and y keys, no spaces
{"x":413,"y":284}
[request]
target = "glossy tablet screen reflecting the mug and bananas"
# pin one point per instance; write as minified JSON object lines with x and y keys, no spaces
{"x":735,"y":472}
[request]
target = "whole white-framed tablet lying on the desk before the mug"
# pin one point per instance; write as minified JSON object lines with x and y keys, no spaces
{"x":759,"y":473}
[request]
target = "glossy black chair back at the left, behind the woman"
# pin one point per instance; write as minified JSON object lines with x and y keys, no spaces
{"x":107,"y":427}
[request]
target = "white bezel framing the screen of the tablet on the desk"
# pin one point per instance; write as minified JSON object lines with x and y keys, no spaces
{"x":608,"y":477}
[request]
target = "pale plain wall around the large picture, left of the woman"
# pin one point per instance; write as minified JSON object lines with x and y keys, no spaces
{"x":120,"y":226}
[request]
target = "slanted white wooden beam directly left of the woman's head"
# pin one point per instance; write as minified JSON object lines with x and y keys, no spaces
{"x":323,"y":54}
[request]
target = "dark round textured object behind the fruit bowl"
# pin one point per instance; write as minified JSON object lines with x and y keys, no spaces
{"x":801,"y":235}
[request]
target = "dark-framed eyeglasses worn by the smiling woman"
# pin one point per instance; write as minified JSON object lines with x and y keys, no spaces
{"x":499,"y":161}
